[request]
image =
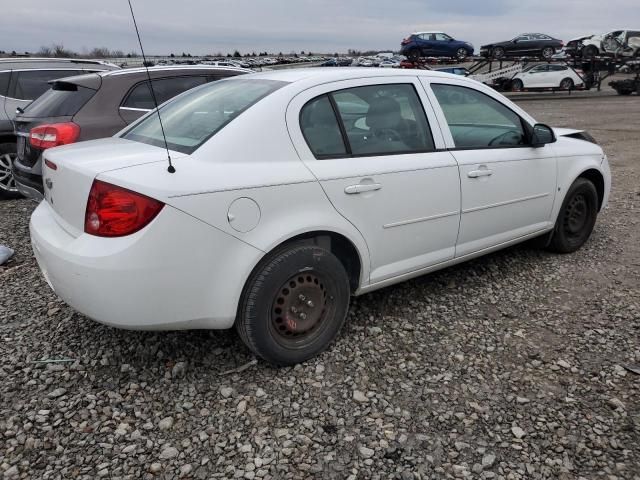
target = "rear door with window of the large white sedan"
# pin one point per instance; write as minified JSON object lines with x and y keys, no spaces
{"x":373,"y":147}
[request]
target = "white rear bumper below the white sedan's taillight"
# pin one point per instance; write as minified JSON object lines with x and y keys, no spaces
{"x":177,"y":273}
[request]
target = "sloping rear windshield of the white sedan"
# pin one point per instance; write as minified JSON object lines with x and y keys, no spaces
{"x":195,"y":116}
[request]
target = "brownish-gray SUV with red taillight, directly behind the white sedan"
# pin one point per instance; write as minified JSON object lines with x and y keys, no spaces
{"x":93,"y":106}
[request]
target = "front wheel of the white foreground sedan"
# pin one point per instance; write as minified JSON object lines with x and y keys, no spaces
{"x":576,"y":218}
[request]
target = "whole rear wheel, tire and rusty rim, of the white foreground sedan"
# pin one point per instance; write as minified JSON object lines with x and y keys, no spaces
{"x":294,"y":304}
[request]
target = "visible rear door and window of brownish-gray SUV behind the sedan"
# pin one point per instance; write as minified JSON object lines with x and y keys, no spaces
{"x":139,"y":99}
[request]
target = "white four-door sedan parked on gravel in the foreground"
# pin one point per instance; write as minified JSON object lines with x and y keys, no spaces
{"x":294,"y":190}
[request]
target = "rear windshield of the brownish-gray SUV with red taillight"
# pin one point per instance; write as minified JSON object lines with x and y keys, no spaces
{"x":63,"y":99}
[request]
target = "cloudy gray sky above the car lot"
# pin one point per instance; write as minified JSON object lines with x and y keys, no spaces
{"x":210,"y":26}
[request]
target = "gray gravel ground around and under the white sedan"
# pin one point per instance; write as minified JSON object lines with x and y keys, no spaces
{"x":511,"y":366}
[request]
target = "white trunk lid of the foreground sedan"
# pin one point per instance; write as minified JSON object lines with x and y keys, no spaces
{"x":67,"y":186}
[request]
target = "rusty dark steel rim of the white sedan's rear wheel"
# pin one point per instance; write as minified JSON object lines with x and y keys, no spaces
{"x":301,"y":309}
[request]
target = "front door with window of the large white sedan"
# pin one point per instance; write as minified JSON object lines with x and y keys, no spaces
{"x":508,"y":187}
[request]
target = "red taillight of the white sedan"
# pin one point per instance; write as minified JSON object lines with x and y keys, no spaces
{"x":114,"y":211}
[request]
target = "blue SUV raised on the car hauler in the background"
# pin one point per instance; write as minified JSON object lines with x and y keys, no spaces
{"x":434,"y":44}
